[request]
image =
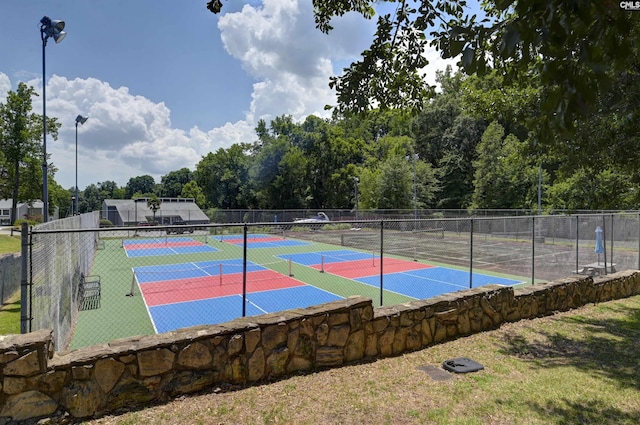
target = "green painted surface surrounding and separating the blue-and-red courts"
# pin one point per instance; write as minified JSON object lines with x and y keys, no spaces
{"x":123,"y":313}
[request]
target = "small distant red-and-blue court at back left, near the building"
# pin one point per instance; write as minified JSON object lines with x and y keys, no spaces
{"x":164,"y":246}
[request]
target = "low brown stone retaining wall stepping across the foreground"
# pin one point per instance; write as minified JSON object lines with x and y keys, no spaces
{"x":38,"y":382}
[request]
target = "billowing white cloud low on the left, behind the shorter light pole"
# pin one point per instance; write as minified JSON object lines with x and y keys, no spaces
{"x":126,"y":135}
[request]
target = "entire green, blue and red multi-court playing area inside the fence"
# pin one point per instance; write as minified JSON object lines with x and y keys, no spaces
{"x":147,"y":288}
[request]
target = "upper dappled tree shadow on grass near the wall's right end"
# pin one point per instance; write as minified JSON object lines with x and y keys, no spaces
{"x":606,"y":346}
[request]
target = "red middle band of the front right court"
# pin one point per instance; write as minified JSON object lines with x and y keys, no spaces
{"x":363,"y":268}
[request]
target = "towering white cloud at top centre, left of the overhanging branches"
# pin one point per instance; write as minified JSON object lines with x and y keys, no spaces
{"x":278,"y":44}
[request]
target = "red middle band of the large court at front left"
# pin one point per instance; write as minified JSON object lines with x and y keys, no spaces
{"x":199,"y":288}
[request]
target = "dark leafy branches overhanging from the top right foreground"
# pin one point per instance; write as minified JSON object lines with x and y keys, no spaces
{"x":573,"y":48}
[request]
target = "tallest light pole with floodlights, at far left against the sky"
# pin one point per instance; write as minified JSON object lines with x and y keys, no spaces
{"x":48,"y":28}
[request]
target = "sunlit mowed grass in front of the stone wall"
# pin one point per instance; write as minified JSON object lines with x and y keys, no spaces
{"x":577,"y":367}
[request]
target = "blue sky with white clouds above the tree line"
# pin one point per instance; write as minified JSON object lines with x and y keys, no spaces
{"x":166,"y":82}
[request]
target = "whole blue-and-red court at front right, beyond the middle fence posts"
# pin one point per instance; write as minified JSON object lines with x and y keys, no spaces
{"x":410,"y":278}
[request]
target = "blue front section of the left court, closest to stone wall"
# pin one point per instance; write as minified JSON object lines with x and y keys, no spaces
{"x":170,"y":317}
